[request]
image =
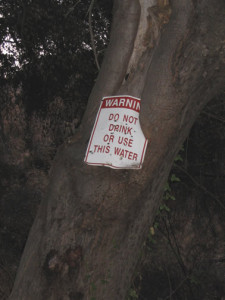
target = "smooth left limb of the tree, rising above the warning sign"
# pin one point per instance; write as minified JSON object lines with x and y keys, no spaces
{"x":118,"y":53}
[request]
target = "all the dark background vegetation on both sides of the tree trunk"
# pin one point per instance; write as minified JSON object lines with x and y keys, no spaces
{"x":47,"y":72}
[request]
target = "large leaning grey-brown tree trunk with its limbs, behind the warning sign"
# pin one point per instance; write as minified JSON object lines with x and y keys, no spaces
{"x":89,"y":231}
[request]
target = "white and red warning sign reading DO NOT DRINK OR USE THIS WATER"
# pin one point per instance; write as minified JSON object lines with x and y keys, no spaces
{"x":117,"y":140}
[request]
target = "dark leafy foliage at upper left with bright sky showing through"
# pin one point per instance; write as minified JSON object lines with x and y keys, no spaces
{"x":46,"y":49}
